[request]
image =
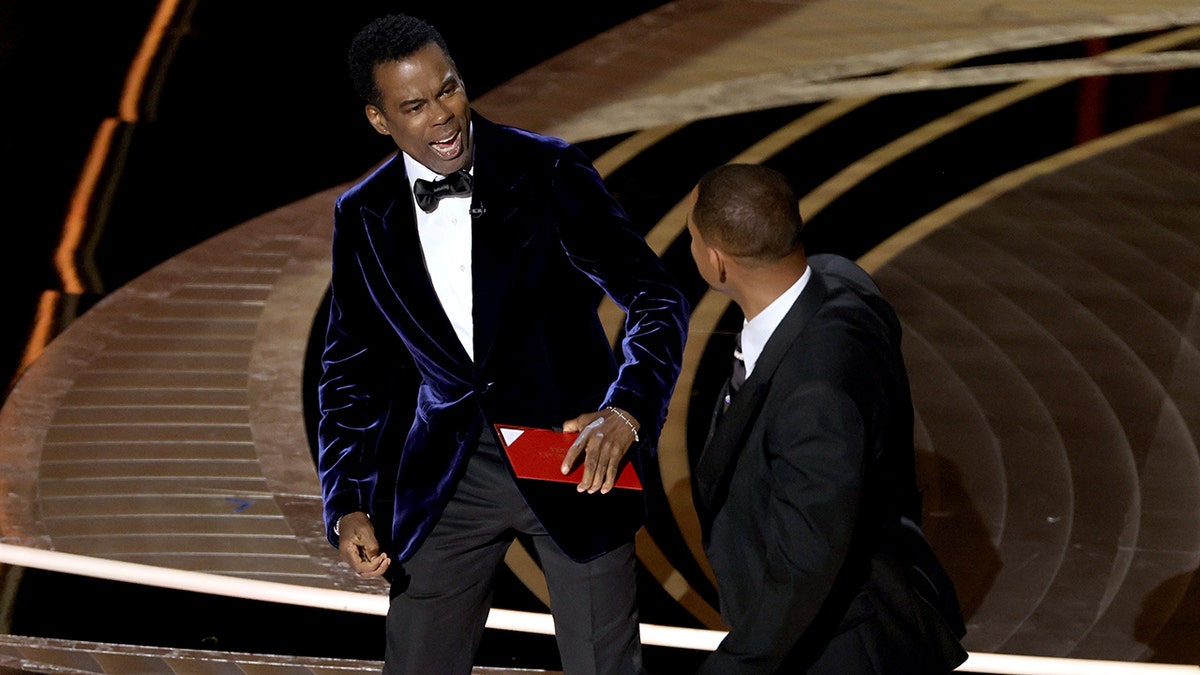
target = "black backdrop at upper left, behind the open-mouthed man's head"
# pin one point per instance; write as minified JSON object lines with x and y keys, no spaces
{"x":251,"y":110}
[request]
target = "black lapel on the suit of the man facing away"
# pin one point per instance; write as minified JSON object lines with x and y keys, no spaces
{"x":719,"y":458}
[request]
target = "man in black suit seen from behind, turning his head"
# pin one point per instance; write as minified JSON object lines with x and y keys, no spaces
{"x":807,"y":487}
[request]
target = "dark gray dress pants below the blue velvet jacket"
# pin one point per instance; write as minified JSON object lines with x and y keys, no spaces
{"x":441,"y":598}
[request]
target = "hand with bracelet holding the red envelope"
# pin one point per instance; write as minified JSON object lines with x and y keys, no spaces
{"x":604,"y":440}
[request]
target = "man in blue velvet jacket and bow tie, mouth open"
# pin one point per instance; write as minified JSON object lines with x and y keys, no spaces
{"x":493,"y":292}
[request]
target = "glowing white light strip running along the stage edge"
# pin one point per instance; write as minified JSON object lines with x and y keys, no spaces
{"x":502,"y":619}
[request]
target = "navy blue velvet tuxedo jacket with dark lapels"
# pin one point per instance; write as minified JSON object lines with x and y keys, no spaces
{"x":549,"y":241}
